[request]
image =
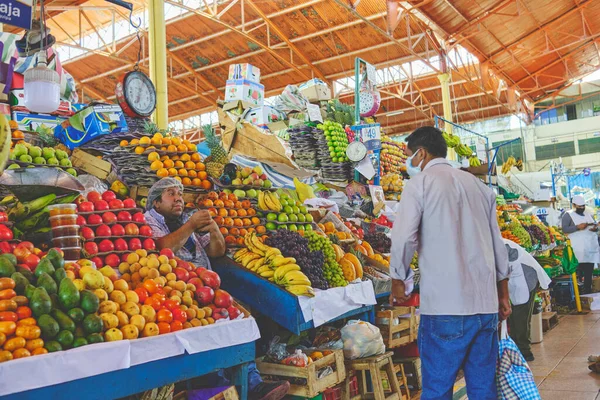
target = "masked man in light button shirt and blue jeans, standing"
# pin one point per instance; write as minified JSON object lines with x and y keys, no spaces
{"x":449,"y":217}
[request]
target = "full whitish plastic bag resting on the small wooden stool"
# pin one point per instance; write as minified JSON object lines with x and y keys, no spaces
{"x":361,"y":339}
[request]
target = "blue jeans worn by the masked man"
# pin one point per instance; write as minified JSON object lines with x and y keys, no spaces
{"x":448,"y":343}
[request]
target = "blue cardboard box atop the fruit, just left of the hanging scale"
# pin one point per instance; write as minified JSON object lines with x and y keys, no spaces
{"x":91,"y":122}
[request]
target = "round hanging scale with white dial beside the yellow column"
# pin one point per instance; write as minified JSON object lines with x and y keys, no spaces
{"x":136,"y":94}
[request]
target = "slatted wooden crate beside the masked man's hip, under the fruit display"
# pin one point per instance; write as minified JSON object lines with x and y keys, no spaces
{"x":398,"y":326}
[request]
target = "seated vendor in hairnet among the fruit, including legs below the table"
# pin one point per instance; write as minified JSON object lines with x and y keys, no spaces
{"x":195,"y":237}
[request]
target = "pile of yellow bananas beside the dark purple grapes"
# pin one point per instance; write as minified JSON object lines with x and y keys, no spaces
{"x":269,"y":263}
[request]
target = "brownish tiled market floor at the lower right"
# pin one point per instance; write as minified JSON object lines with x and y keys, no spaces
{"x":560,"y":366}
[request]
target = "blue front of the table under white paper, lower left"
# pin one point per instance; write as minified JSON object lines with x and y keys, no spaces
{"x":142,"y":377}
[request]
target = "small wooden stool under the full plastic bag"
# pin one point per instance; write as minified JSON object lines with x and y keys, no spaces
{"x":374,"y":365}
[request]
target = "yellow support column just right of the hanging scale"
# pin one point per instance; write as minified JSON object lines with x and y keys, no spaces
{"x":157,"y":45}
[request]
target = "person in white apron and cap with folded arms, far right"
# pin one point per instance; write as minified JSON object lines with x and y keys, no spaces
{"x":580,"y":226}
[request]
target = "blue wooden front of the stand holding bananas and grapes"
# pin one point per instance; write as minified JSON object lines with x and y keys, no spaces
{"x":271,"y":300}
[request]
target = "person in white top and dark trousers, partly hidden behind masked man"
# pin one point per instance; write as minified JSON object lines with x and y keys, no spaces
{"x":526,"y":276}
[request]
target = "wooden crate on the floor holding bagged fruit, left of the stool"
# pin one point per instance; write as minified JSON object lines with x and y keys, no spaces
{"x":309,"y":374}
